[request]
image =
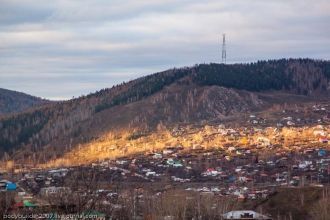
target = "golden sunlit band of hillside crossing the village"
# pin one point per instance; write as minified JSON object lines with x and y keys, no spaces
{"x":230,"y":141}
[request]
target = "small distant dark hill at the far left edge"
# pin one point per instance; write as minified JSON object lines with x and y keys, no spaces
{"x":14,"y":102}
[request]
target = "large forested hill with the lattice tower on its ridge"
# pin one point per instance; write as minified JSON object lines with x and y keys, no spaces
{"x":199,"y":94}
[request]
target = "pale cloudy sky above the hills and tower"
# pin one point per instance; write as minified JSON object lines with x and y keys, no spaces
{"x":63,"y":48}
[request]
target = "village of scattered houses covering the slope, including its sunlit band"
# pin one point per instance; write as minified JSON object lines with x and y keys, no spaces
{"x":248,"y":164}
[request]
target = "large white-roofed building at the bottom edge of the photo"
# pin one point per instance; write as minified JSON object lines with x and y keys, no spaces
{"x":245,"y":215}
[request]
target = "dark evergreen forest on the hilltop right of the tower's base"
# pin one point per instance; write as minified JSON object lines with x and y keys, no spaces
{"x":301,"y":76}
